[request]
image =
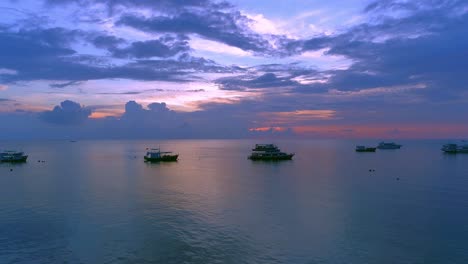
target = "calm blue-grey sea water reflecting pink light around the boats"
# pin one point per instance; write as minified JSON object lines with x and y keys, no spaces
{"x":98,"y":202}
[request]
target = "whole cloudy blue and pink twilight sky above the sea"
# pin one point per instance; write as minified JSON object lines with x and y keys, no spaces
{"x":233,"y":69}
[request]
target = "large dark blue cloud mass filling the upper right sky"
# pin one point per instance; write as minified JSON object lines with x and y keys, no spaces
{"x":407,"y":43}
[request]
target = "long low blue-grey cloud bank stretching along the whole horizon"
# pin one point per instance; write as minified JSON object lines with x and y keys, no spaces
{"x":217,"y":120}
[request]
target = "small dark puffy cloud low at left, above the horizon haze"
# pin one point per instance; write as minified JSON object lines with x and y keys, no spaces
{"x":68,"y":113}
